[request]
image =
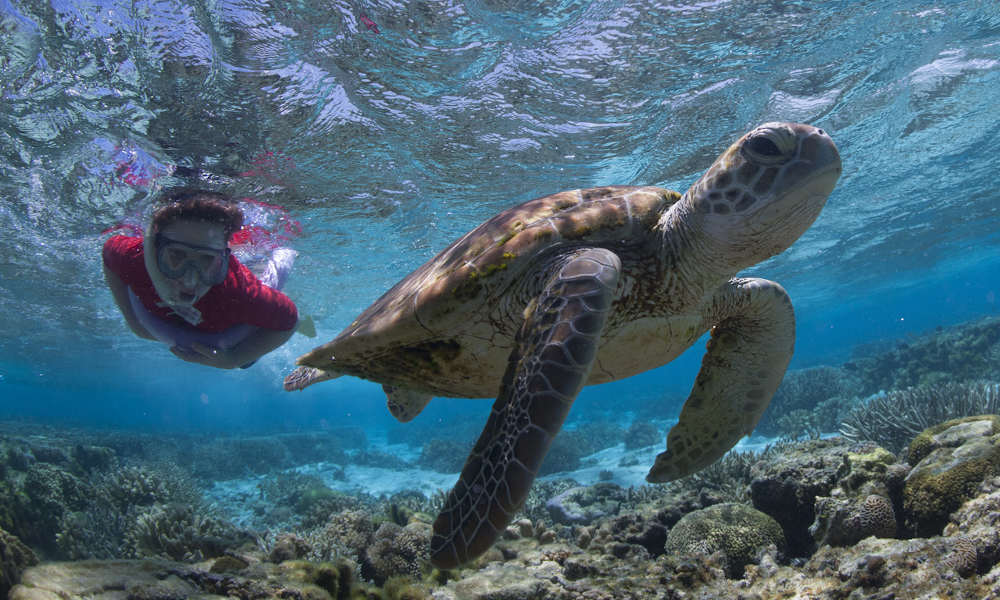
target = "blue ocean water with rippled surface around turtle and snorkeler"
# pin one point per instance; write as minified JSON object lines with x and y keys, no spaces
{"x":387,"y":129}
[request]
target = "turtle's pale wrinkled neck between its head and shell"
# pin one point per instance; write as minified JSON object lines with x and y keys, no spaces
{"x":697,"y":263}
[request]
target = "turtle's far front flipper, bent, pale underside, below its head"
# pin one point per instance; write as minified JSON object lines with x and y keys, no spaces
{"x":752,"y":342}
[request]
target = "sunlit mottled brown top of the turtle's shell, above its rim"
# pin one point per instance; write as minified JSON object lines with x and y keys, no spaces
{"x":433,"y":302}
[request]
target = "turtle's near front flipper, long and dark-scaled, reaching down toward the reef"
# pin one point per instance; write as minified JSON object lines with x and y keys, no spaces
{"x":552,"y":356}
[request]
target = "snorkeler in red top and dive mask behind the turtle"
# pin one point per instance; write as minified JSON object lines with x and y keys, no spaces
{"x":181,"y":285}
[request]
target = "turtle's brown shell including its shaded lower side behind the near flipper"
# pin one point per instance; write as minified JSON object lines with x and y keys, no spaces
{"x":431,"y":318}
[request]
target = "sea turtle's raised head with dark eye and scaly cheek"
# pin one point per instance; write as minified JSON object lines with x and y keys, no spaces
{"x":765,"y":190}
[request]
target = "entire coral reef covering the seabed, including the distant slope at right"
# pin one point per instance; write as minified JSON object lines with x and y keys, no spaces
{"x":857,"y":521}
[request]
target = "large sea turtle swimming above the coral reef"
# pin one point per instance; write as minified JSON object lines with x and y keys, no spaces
{"x":588,"y":286}
